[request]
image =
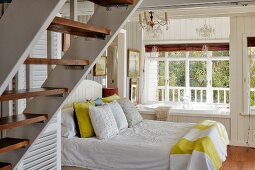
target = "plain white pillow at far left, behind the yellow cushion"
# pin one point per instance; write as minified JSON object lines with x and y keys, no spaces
{"x":67,"y":123}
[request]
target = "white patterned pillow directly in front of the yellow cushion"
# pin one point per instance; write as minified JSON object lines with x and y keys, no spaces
{"x":103,"y":122}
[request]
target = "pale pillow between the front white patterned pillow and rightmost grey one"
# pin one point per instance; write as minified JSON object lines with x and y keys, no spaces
{"x":119,"y":115}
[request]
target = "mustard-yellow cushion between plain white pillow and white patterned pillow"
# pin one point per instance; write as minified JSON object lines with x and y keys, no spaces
{"x":84,"y":122}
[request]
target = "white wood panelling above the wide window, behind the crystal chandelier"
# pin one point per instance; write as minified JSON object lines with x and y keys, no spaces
{"x":185,"y":30}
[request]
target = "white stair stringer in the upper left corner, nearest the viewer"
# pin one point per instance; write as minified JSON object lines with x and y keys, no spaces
{"x":21,"y":26}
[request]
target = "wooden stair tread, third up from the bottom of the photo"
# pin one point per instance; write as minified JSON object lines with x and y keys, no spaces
{"x":20,"y":120}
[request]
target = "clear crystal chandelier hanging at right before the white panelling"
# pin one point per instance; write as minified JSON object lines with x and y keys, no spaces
{"x":205,"y":31}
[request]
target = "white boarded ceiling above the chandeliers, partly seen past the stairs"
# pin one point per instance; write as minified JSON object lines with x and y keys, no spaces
{"x":181,"y":8}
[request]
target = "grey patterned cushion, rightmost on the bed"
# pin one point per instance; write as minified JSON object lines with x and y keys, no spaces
{"x":132,"y":114}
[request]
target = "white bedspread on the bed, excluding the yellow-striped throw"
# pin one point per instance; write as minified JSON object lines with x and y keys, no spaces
{"x":145,"y":146}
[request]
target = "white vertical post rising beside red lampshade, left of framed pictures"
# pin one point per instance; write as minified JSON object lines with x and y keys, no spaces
{"x":122,"y":64}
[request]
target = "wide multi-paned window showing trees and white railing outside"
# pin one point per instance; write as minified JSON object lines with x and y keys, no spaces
{"x":203,"y":77}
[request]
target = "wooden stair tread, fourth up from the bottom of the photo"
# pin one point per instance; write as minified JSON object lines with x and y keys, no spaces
{"x":28,"y":93}
